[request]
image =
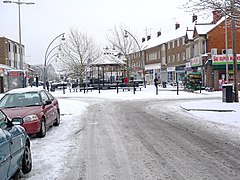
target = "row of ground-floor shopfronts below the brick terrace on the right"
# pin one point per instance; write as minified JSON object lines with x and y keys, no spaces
{"x":212,"y":71}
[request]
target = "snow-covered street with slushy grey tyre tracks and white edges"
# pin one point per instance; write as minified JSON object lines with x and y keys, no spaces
{"x":141,"y":136}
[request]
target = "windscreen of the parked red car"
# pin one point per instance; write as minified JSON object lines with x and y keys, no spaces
{"x":20,"y":100}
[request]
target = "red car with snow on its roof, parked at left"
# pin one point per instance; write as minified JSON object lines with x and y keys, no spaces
{"x":37,"y":108}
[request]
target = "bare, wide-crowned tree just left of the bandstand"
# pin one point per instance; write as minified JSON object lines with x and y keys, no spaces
{"x":77,"y":53}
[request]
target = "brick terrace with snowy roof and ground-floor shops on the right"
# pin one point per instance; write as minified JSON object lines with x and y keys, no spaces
{"x":200,"y":48}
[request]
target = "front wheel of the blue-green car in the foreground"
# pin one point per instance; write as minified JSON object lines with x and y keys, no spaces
{"x":27,"y":160}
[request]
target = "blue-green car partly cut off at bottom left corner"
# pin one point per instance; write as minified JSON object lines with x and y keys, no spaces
{"x":15,"y":154}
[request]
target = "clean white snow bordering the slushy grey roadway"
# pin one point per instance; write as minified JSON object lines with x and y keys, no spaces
{"x":46,"y":155}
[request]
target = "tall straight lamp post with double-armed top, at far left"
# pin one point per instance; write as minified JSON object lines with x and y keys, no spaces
{"x":19,"y":3}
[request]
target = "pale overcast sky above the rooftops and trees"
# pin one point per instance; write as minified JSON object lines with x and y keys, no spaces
{"x":46,"y":19}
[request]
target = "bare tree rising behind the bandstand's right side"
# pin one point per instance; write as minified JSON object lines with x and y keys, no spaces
{"x":122,"y":44}
